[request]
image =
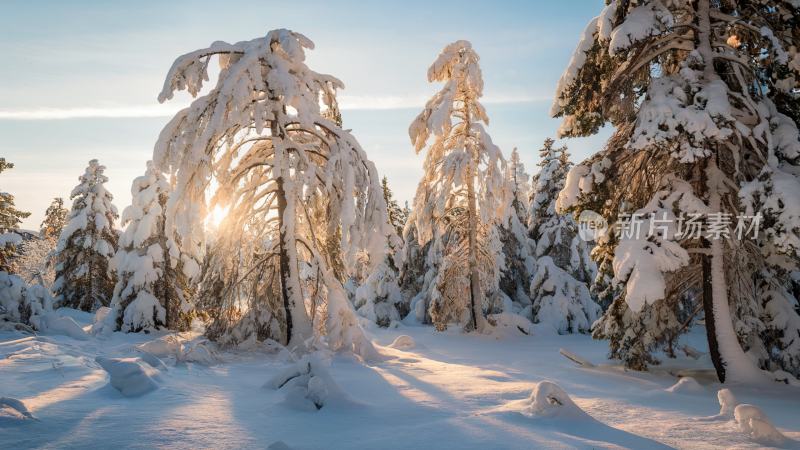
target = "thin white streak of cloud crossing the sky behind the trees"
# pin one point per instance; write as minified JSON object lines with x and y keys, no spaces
{"x":346,"y":102}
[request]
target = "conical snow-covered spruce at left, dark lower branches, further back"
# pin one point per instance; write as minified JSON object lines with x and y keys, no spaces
{"x":87,"y":243}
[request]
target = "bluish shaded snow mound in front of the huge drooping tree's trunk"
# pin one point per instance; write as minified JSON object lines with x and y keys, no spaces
{"x":308,"y":385}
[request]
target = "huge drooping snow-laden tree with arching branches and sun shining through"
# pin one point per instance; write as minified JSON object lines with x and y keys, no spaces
{"x":299,"y":189}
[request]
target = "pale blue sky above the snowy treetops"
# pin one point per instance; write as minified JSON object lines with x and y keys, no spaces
{"x":79,"y":79}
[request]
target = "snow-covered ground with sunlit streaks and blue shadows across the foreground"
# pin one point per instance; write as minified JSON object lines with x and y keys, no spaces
{"x":449,"y":391}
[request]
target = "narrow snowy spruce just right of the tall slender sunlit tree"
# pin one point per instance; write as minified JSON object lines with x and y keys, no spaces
{"x":517,"y":246}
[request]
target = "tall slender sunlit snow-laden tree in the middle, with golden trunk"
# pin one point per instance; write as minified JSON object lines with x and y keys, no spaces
{"x":462,"y":197}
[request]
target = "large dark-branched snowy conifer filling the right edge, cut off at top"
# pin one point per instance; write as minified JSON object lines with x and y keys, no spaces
{"x":689,"y":86}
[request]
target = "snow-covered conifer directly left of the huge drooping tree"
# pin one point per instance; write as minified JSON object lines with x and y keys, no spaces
{"x":151,"y":290}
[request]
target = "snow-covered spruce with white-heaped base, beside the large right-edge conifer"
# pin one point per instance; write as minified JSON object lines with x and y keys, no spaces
{"x":559,"y":288}
